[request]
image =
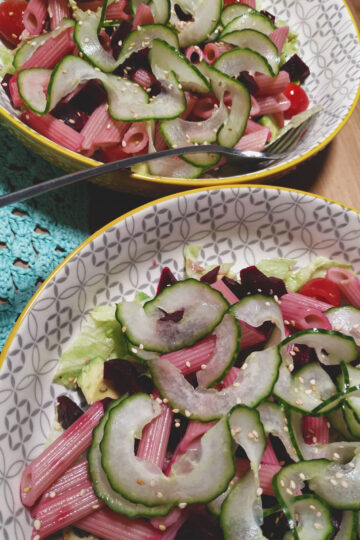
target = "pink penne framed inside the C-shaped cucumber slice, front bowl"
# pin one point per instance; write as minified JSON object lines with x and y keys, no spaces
{"x":155,"y":437}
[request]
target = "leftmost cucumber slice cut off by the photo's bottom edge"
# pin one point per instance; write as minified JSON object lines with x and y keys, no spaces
{"x":241,"y":512}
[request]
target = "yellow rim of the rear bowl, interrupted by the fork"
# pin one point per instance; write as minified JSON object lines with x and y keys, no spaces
{"x":277,"y":170}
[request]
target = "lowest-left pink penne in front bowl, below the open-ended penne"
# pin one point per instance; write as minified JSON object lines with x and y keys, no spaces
{"x":56,"y":513}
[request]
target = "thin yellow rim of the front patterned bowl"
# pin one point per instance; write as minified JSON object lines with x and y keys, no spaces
{"x":116,"y":221}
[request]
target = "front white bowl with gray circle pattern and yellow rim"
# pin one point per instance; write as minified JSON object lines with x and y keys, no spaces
{"x":234,"y":224}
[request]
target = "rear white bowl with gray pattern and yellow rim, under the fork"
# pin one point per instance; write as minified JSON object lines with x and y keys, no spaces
{"x":329,"y":44}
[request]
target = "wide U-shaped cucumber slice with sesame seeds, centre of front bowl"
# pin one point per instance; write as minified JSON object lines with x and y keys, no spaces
{"x":252,"y":386}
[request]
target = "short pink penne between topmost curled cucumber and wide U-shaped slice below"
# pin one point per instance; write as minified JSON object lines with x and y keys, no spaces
{"x":190,"y":359}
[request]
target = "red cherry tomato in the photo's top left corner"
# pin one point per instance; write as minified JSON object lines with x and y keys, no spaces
{"x":11,"y":20}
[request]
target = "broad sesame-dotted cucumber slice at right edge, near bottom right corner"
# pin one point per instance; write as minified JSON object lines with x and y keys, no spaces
{"x":338,"y":484}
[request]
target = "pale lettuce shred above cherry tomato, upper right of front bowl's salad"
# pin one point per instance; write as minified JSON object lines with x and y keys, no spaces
{"x":283,"y":269}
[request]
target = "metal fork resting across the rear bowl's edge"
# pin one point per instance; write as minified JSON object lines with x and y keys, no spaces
{"x":276,"y":151}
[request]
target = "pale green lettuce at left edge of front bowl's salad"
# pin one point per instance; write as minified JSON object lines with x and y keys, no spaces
{"x":100,"y":336}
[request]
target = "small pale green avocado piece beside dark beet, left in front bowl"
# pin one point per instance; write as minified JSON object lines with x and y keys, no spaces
{"x":92,"y":384}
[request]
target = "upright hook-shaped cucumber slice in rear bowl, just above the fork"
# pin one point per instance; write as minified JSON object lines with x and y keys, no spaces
{"x":235,"y":124}
